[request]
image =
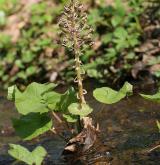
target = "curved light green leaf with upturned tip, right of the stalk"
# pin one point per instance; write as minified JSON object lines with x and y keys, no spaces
{"x":109,"y":96}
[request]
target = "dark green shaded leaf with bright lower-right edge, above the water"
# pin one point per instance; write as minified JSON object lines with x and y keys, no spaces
{"x":32,"y":125}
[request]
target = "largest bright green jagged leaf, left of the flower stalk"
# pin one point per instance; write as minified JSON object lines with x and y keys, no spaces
{"x":31,"y":100}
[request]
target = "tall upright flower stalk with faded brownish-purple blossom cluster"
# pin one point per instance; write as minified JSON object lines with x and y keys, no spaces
{"x":76,"y":33}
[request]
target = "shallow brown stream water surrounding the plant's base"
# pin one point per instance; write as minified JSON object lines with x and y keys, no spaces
{"x":128,"y":132}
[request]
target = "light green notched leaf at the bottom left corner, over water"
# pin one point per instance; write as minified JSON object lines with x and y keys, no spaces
{"x":22,"y":154}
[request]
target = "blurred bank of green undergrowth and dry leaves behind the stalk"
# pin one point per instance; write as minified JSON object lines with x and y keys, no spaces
{"x":126,"y":39}
